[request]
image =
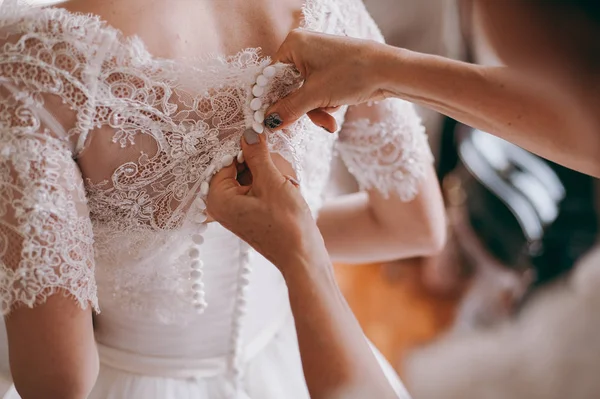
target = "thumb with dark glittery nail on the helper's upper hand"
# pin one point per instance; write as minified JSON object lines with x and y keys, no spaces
{"x":291,"y":108}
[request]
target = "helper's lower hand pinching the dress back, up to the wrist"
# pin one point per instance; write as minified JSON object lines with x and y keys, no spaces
{"x":270,"y":214}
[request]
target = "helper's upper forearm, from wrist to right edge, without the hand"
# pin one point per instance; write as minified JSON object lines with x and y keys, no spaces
{"x":498,"y":101}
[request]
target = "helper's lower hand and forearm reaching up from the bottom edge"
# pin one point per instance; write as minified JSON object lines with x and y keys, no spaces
{"x":272,"y":216}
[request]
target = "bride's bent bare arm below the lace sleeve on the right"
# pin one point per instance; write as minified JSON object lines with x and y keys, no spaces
{"x":365,"y":228}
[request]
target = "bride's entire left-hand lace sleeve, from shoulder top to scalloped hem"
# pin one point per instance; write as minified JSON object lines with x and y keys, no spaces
{"x":48,"y":73}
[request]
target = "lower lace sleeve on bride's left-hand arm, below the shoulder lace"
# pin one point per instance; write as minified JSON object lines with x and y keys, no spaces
{"x":45,"y":230}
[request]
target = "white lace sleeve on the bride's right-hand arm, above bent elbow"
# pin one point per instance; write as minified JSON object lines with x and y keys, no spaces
{"x":385,"y":147}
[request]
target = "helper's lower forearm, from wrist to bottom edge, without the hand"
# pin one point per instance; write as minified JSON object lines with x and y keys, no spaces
{"x":337,"y":360}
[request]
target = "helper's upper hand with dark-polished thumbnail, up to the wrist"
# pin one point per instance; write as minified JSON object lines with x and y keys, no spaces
{"x":337,"y":70}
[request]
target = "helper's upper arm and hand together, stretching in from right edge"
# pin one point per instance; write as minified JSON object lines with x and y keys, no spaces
{"x":556,"y":120}
